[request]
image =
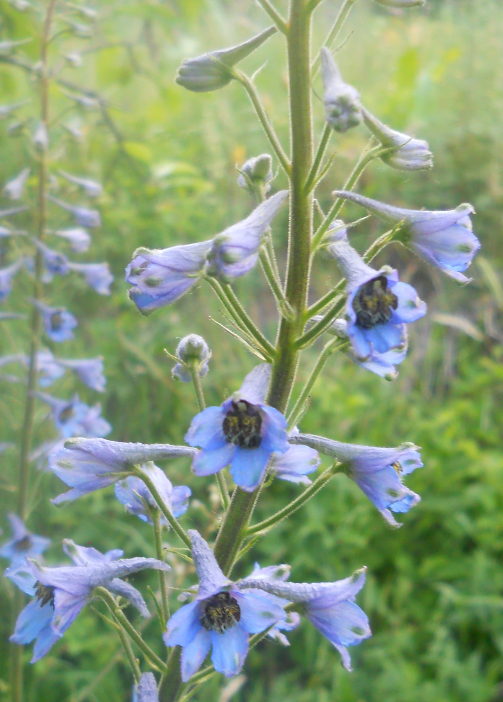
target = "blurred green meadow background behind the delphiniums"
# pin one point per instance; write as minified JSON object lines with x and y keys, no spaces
{"x":167,"y":160}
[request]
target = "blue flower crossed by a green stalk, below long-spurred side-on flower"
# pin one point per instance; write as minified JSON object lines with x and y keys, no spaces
{"x":135,"y":495}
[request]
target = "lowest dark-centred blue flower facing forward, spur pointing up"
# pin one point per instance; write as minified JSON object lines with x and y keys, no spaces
{"x":221,"y":618}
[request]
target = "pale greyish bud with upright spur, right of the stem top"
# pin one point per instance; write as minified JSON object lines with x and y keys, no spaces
{"x":343,"y":109}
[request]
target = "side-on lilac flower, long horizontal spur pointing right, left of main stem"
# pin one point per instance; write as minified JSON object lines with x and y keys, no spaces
{"x":87,"y":465}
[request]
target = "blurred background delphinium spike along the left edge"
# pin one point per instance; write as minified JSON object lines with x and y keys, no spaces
{"x":46,"y":215}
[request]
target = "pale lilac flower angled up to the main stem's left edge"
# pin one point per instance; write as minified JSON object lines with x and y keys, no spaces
{"x":235,"y":251}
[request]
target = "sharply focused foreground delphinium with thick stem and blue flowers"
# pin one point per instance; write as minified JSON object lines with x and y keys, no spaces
{"x":254,"y":437}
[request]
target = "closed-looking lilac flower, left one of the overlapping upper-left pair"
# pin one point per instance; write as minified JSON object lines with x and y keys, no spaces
{"x":161,"y":276}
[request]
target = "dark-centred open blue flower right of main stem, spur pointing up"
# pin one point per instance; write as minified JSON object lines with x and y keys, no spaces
{"x":378,"y":305}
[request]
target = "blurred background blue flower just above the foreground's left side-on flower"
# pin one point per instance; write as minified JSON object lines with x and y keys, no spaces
{"x":74,"y":418}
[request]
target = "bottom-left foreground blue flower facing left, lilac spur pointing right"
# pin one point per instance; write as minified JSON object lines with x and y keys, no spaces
{"x":61,"y":593}
